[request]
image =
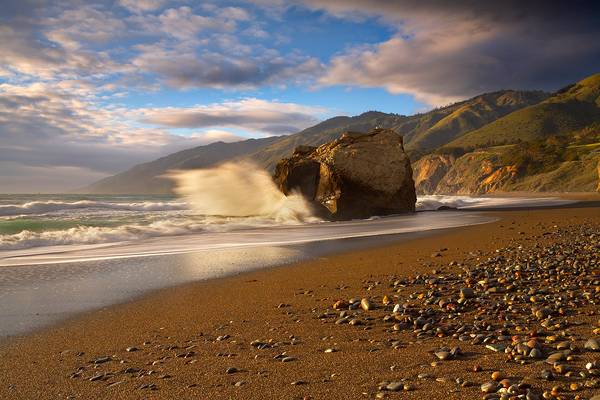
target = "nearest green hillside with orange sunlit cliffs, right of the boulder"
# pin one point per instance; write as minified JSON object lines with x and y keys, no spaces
{"x":547,"y":147}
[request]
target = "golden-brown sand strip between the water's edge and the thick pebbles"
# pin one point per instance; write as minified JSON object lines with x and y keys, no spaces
{"x":186,"y":338}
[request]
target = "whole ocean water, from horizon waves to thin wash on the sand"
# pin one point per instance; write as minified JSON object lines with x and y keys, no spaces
{"x":65,"y":254}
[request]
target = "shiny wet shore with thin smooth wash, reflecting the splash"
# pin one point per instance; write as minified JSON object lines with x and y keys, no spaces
{"x":34,"y":295}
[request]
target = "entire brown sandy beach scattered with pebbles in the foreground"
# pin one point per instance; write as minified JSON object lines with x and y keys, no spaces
{"x":273,"y":333}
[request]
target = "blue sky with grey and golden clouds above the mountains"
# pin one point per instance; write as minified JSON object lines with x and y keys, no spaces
{"x":91,"y":88}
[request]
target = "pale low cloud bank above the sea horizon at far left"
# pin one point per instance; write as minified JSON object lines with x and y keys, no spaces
{"x":51,"y":127}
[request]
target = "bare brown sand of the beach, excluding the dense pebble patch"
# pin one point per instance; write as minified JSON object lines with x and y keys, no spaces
{"x":279,"y":303}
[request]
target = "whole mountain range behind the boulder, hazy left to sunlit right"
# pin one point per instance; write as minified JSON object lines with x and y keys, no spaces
{"x":502,"y":141}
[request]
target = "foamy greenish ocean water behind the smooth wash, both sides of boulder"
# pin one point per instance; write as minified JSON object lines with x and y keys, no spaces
{"x":30,"y":221}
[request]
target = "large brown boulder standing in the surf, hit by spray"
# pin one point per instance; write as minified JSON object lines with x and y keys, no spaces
{"x":356,"y":176}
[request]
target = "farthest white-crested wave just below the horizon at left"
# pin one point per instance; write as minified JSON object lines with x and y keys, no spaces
{"x":43,"y":207}
